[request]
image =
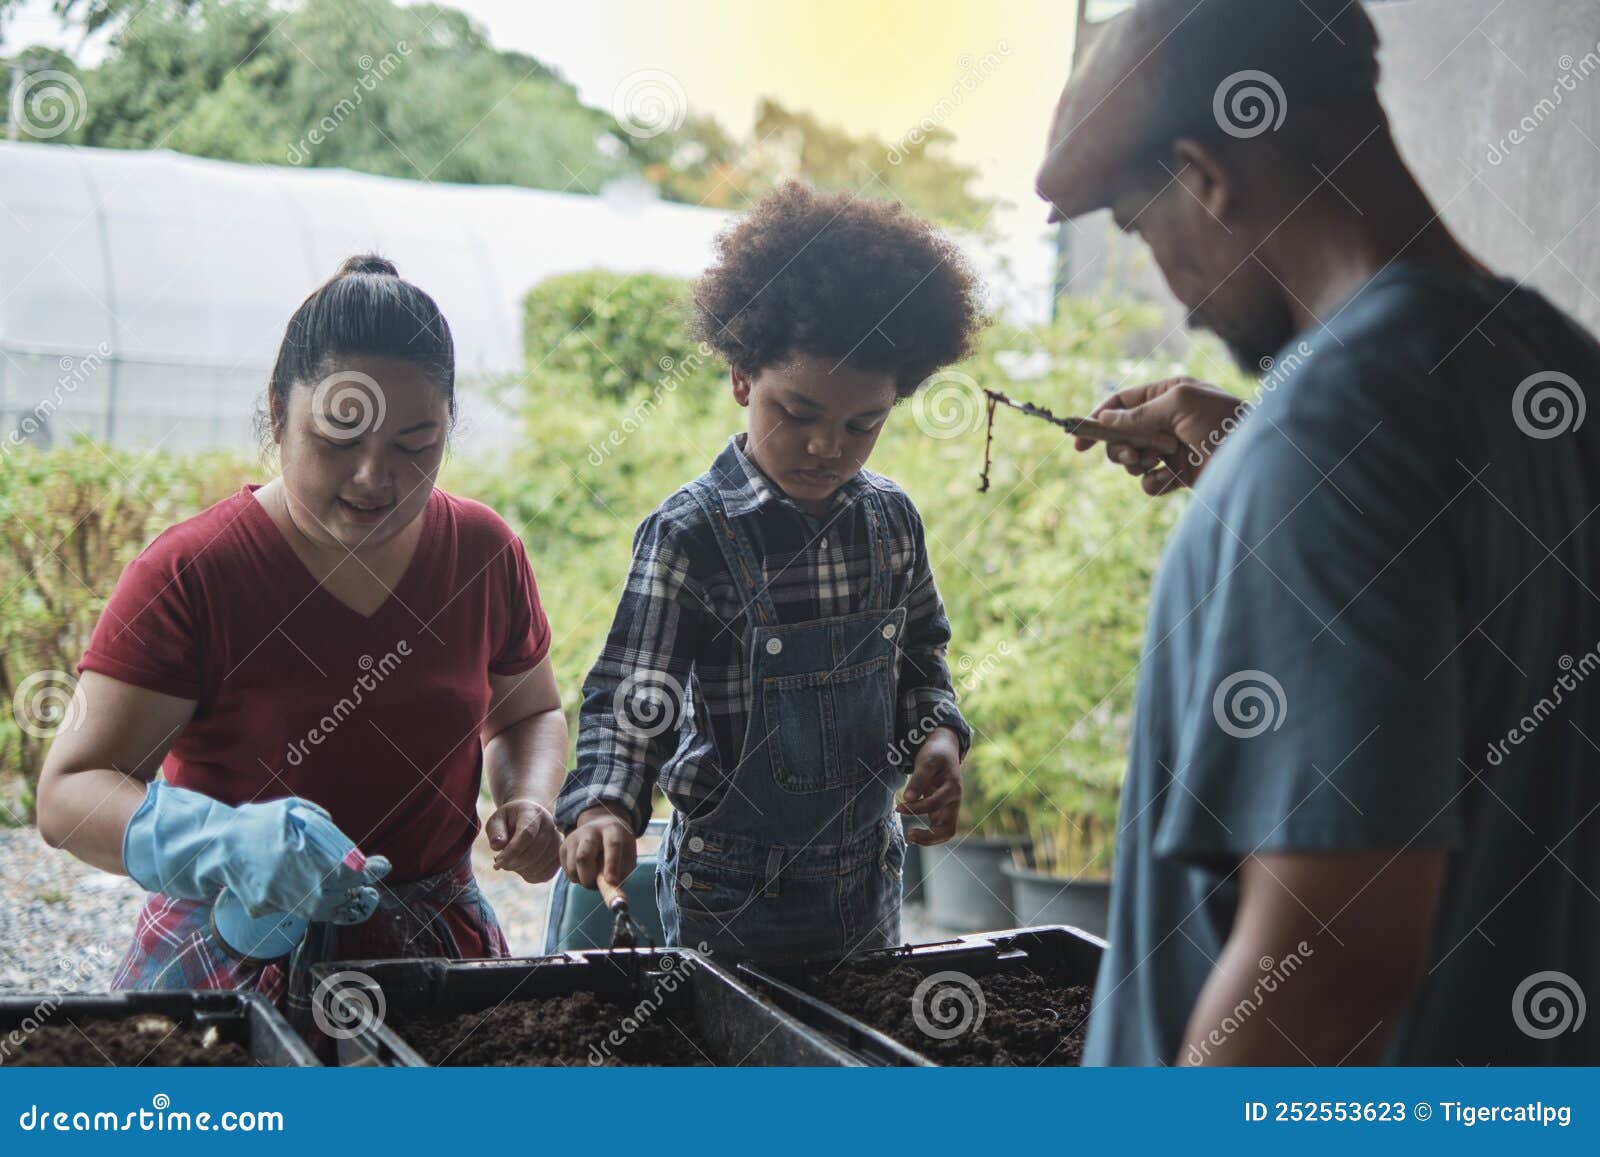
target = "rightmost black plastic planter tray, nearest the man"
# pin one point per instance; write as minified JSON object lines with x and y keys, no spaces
{"x":1065,"y":955}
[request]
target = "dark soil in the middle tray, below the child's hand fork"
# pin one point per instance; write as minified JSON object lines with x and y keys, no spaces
{"x":574,"y":1030}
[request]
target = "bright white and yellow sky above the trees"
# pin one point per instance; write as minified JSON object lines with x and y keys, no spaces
{"x":868,"y":66}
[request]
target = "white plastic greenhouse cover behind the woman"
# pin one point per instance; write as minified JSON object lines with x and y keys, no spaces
{"x":143,"y":294}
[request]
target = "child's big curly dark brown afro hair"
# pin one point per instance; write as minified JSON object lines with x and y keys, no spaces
{"x":839,"y":278}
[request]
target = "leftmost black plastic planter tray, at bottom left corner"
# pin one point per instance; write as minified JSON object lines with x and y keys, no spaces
{"x":242,"y":1019}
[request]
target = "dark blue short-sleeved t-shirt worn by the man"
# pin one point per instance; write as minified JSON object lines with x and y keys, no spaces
{"x":1378,"y":627}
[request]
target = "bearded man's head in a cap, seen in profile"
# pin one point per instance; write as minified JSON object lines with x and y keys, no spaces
{"x":1226,"y":134}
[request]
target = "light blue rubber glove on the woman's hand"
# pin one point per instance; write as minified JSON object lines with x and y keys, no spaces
{"x":282,"y":857}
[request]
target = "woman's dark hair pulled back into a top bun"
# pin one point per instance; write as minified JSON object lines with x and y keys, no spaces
{"x":366,"y":310}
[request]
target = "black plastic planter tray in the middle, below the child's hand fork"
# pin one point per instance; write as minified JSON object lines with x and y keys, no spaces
{"x":730,"y":1020}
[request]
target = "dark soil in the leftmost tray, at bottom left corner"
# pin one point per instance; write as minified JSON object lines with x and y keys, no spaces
{"x":135,"y":1041}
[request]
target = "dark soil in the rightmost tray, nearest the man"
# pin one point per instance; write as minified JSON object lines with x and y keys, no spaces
{"x":1026,"y":1017}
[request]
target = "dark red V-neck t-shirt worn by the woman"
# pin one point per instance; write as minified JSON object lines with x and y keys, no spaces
{"x":377,"y":719}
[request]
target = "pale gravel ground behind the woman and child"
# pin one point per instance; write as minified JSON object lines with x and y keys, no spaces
{"x":66,"y":926}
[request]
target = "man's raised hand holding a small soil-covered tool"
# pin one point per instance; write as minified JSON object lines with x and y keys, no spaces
{"x":1199,"y":417}
